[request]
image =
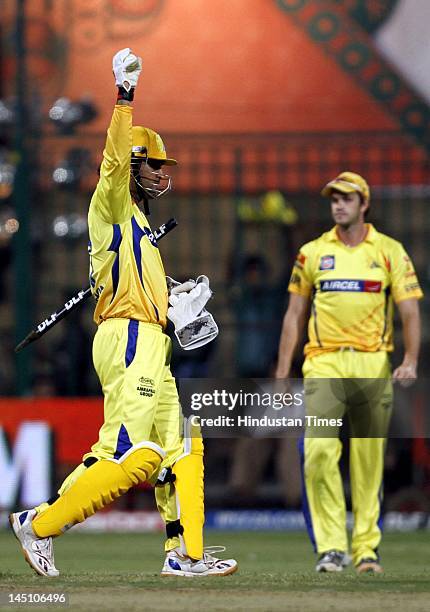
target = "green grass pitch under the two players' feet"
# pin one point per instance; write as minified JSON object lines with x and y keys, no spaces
{"x":276,"y":572}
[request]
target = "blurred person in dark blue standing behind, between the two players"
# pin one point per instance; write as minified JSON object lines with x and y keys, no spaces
{"x":258,"y":306}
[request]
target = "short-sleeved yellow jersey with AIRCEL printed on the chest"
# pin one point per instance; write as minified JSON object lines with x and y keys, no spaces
{"x":352,"y":290}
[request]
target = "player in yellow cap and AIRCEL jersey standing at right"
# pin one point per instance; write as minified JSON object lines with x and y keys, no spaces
{"x":349,"y":278}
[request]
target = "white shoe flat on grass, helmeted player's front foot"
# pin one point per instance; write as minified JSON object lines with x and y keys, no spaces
{"x":178,"y":565}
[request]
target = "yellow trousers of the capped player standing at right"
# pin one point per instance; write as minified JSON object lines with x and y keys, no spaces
{"x":358,"y":385}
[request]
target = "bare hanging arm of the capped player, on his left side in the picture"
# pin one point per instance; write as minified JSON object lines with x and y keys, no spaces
{"x":292,"y":330}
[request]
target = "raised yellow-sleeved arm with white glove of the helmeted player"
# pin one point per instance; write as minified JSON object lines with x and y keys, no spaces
{"x":111,"y":200}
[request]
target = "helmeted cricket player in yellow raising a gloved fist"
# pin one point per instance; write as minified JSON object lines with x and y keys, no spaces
{"x":140,"y":439}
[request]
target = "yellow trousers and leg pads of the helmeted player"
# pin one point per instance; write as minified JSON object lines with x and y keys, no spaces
{"x":142,"y":415}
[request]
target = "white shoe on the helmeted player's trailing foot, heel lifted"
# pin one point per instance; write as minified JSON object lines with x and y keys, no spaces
{"x":38,"y":552}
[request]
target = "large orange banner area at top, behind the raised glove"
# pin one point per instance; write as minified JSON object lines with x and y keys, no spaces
{"x":209,"y":67}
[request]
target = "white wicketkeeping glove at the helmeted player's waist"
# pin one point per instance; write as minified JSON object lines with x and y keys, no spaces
{"x":194,"y":325}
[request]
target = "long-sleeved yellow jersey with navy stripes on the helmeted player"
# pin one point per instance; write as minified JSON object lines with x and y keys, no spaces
{"x":127,"y":277}
